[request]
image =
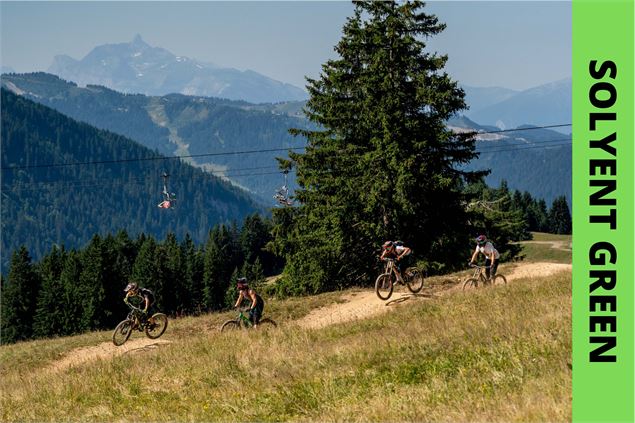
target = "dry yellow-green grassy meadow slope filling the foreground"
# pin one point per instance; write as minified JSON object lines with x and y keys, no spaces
{"x":499,"y":354}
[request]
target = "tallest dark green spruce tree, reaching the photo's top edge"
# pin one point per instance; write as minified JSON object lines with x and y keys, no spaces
{"x":382,"y":164}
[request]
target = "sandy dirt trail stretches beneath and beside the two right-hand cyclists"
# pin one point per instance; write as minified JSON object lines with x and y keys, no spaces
{"x":365,"y":304}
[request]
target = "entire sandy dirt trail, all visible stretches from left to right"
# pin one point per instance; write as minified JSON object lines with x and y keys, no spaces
{"x":358,"y":305}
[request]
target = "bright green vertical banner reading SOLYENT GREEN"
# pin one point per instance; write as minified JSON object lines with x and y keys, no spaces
{"x":603,"y":212}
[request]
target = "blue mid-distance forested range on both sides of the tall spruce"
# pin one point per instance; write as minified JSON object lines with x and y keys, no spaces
{"x":209,"y":127}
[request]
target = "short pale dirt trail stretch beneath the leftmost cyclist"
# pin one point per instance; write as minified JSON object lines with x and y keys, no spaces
{"x":105,"y":350}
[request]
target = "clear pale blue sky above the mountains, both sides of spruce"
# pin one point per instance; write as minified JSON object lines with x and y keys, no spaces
{"x":511,"y":44}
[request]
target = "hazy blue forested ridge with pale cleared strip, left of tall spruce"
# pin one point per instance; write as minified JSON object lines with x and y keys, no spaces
{"x":180,"y":125}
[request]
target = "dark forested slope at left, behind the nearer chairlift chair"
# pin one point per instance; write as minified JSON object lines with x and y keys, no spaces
{"x":64,"y":181}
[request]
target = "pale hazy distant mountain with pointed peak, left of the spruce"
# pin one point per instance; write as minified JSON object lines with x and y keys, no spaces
{"x":139,"y":68}
